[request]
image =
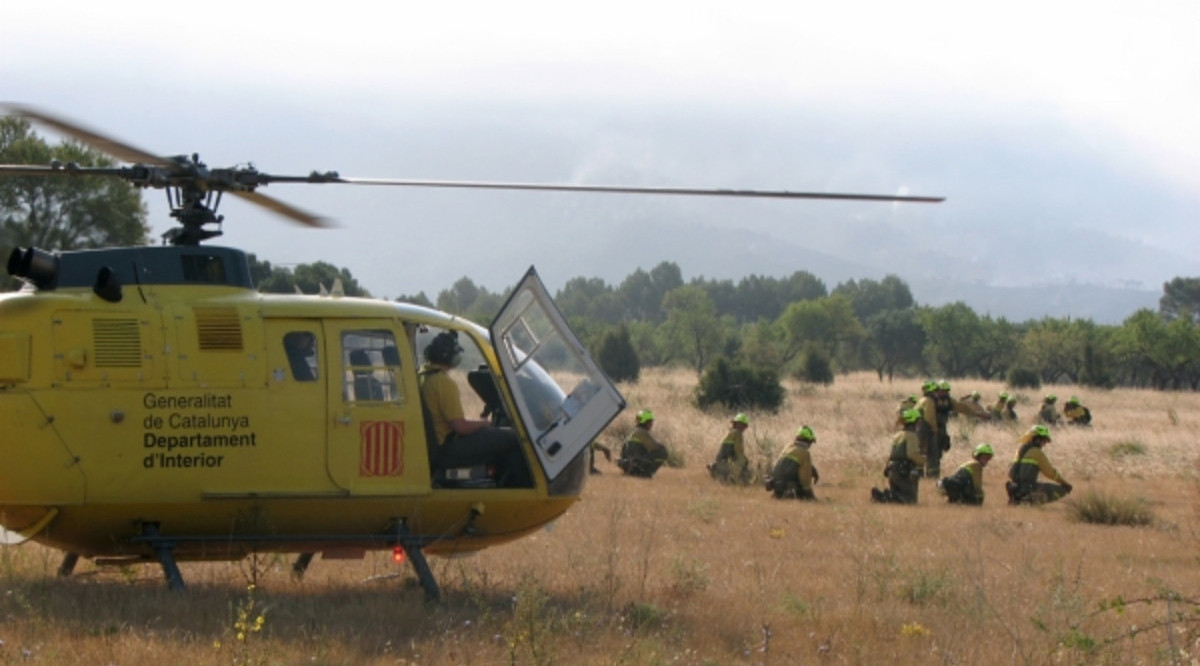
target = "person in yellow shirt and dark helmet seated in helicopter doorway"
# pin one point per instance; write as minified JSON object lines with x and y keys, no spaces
{"x":465,"y":442}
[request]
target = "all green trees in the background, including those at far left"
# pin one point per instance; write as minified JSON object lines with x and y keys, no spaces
{"x":745,"y":331}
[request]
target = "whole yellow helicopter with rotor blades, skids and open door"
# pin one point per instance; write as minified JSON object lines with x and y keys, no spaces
{"x":158,"y":409}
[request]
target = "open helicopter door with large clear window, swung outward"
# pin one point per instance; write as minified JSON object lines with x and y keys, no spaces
{"x":563,"y":398}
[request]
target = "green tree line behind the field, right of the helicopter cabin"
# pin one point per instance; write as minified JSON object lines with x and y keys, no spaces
{"x":799,"y":327}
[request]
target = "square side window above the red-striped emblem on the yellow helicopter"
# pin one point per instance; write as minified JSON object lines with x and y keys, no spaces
{"x":373,"y":367}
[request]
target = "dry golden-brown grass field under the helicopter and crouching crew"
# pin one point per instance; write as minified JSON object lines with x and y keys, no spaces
{"x":682,"y":571}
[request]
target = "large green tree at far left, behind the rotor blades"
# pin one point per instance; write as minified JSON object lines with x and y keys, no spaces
{"x":64,"y":213}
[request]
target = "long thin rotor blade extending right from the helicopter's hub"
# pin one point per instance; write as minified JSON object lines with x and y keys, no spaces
{"x":629,"y":190}
